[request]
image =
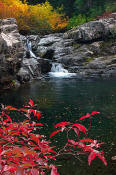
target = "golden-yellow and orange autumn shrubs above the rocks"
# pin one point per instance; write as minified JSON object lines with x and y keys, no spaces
{"x":39,"y":18}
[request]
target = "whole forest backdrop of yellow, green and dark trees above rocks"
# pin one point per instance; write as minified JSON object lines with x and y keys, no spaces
{"x":41,"y":16}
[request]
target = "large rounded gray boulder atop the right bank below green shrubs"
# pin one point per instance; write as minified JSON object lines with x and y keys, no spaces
{"x":90,"y":31}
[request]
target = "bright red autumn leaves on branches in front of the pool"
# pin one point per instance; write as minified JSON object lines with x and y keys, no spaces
{"x":24,"y":151}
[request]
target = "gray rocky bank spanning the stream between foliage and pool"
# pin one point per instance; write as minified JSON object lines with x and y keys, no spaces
{"x":89,"y":51}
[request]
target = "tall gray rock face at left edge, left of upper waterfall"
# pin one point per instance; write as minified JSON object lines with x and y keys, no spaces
{"x":11,"y":51}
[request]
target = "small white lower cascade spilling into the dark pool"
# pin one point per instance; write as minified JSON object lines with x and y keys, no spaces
{"x":57,"y":70}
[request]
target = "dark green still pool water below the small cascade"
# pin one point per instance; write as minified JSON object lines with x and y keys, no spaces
{"x":67,"y":100}
